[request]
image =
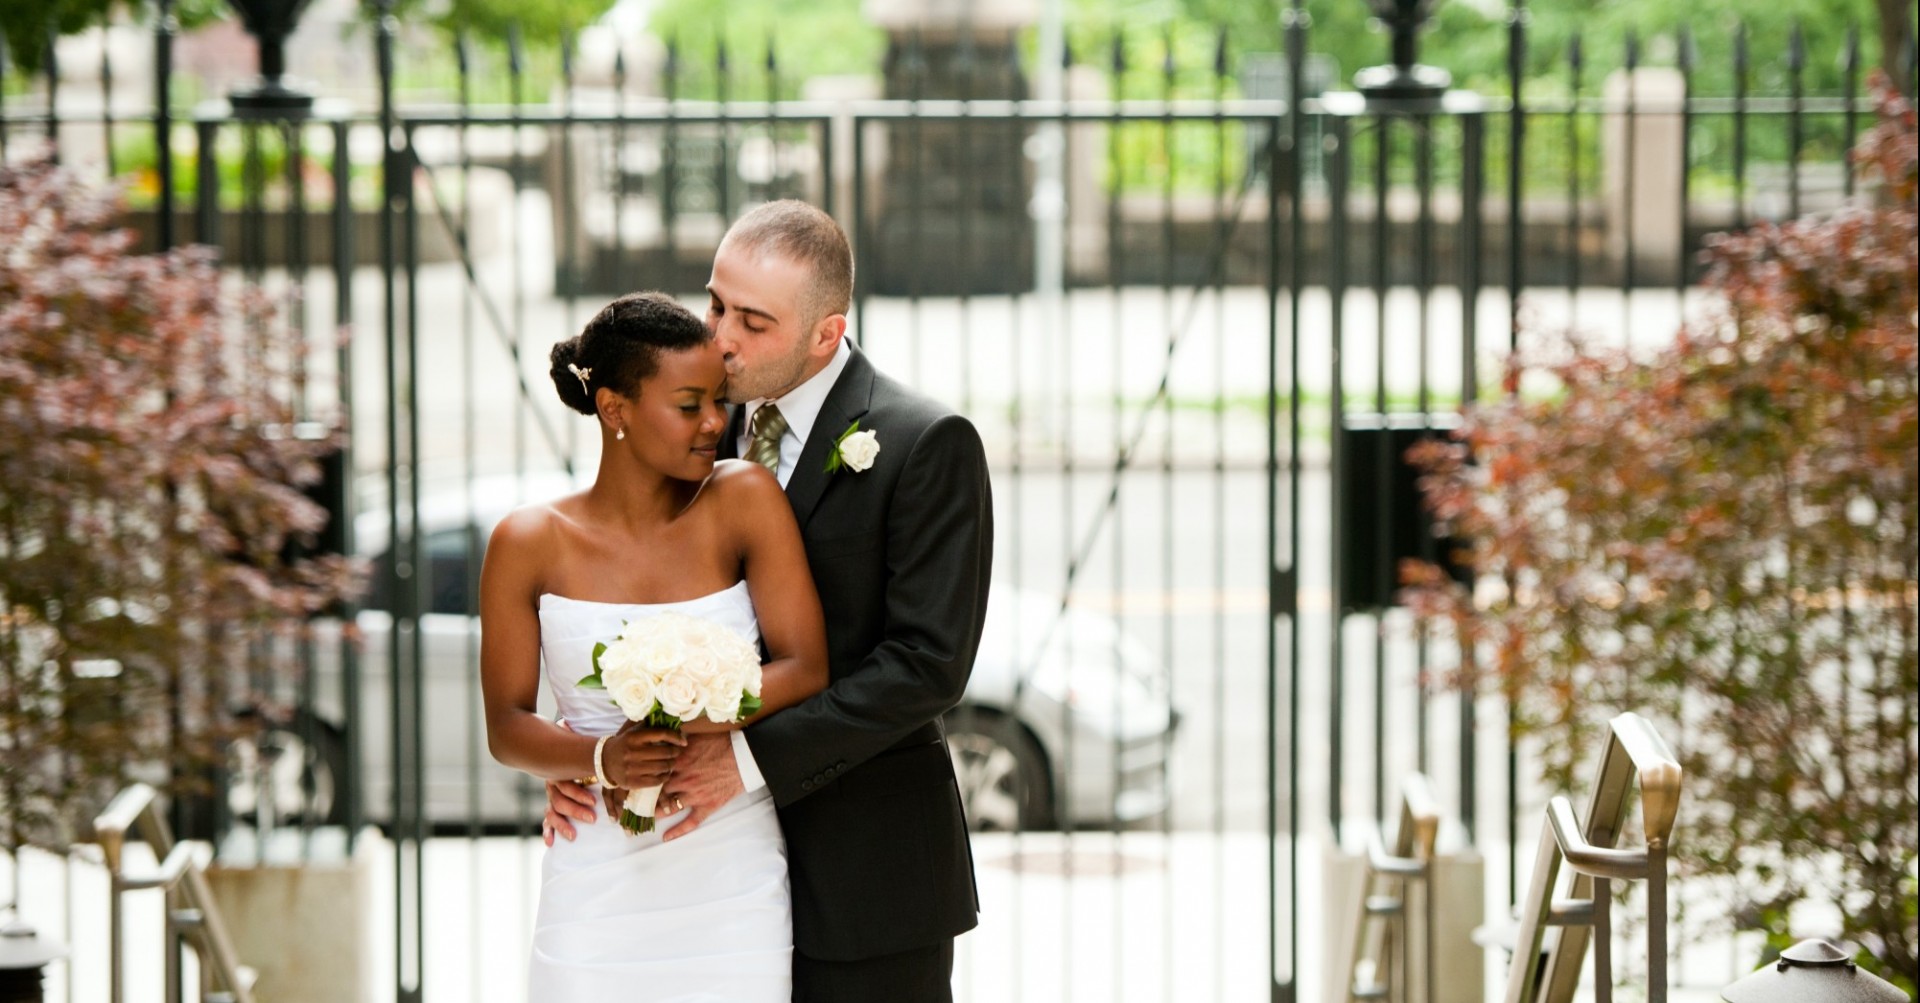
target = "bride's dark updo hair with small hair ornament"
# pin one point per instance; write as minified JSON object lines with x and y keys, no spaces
{"x":623,"y":347}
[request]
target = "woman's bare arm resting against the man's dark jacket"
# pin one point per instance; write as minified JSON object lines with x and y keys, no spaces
{"x":784,"y":599}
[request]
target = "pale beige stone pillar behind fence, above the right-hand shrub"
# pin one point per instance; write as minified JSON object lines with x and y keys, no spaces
{"x":1643,"y":199}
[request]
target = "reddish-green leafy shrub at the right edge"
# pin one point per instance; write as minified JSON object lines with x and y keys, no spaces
{"x":1727,"y":539}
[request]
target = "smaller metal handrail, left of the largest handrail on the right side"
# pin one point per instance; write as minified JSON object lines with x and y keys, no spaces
{"x":1410,"y":860}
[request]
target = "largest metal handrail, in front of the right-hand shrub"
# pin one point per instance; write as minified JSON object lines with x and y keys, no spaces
{"x":1635,"y":750}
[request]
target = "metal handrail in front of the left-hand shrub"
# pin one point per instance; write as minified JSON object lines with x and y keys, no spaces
{"x":193,"y":917}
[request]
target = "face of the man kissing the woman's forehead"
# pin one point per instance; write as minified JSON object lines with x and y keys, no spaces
{"x":756,"y":316}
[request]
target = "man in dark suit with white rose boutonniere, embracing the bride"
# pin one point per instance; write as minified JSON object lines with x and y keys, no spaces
{"x":900,"y":543}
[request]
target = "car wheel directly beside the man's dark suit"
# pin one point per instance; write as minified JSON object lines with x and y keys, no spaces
{"x":1003,"y":775}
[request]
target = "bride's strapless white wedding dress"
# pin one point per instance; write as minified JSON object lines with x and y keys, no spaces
{"x":706,"y":917}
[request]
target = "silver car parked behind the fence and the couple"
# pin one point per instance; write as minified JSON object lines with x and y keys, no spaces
{"x":1067,"y":718}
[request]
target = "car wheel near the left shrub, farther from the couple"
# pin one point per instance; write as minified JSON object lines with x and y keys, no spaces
{"x":297,"y":770}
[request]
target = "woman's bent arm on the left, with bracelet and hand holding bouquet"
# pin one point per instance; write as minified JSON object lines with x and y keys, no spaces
{"x":510,"y":673}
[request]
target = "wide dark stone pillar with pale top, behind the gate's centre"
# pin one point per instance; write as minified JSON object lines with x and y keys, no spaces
{"x":953,"y":201}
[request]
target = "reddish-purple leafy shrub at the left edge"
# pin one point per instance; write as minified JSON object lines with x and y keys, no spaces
{"x":145,"y":506}
